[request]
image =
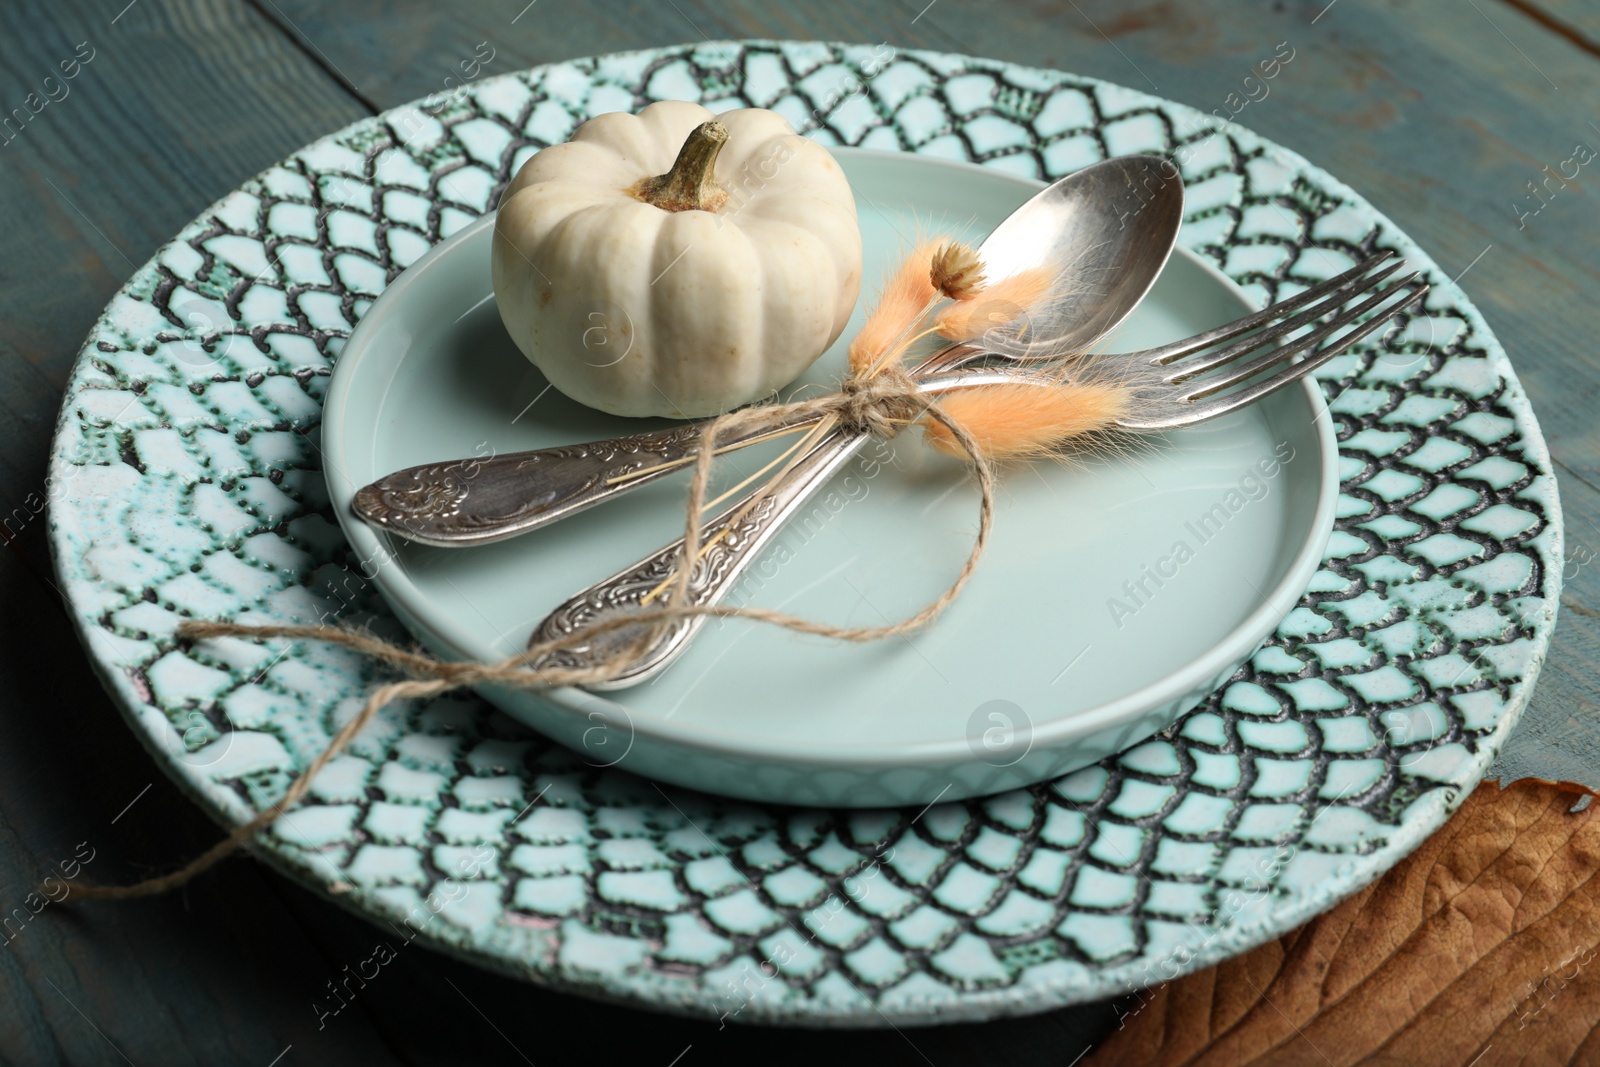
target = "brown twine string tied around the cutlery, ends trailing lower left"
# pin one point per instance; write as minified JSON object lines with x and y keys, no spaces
{"x":881,"y":402}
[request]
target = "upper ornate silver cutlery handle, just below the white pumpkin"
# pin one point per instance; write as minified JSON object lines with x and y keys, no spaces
{"x":476,"y":502}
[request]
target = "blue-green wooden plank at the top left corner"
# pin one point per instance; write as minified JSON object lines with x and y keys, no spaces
{"x":175,"y":108}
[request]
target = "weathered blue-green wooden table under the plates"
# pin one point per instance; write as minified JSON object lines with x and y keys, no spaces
{"x":1463,"y":121}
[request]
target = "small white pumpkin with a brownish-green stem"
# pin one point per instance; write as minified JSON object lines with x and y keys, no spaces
{"x":678,"y":263}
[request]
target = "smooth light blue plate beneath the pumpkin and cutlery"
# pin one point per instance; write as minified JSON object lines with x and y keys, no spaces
{"x":1114,"y":597}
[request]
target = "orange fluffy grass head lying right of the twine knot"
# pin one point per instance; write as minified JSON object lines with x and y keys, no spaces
{"x":1031,"y":422}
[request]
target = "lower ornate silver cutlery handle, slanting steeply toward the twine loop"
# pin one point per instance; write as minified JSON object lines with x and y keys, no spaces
{"x":724,"y":559}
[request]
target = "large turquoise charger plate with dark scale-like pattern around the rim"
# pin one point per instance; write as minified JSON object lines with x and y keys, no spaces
{"x":186,"y":484}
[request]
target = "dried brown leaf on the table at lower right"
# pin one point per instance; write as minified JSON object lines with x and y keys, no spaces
{"x":1478,"y":943}
